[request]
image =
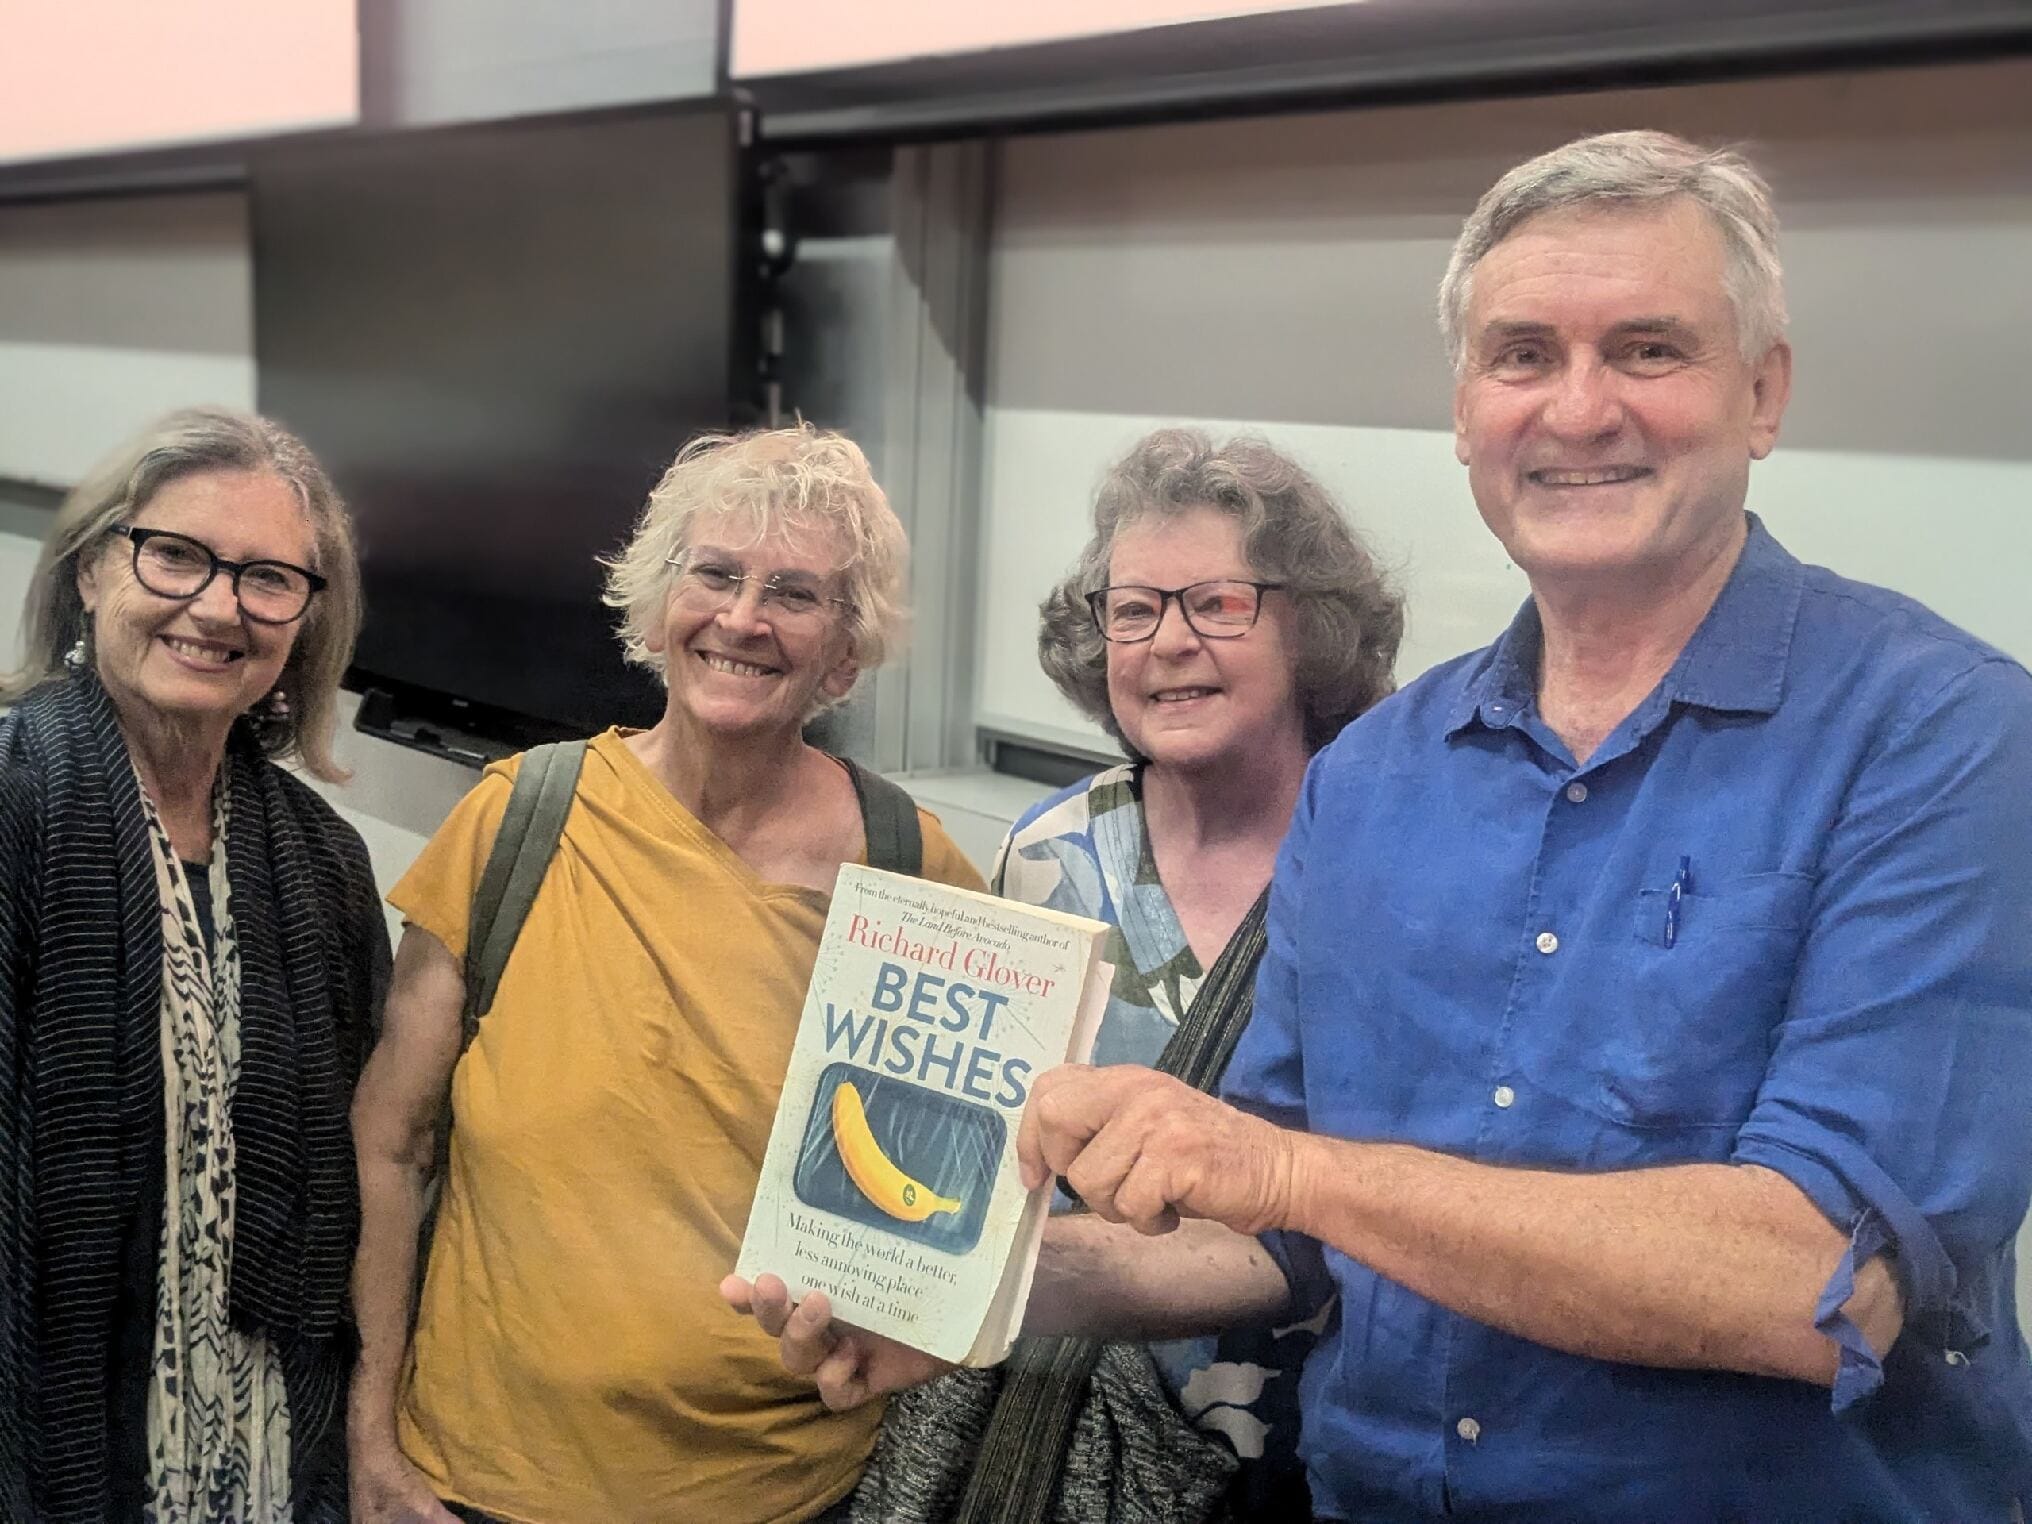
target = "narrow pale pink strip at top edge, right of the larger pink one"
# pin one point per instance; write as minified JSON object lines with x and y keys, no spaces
{"x":808,"y":36}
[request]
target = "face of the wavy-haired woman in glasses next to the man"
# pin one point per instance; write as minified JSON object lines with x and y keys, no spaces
{"x":1182,"y":700}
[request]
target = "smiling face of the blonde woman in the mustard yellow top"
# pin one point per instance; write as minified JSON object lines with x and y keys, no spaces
{"x":737,"y":663}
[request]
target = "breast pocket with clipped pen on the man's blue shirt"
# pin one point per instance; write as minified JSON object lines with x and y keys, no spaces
{"x":1700,"y":1011}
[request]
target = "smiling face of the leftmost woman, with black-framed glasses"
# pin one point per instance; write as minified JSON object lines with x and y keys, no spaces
{"x":196,"y":661}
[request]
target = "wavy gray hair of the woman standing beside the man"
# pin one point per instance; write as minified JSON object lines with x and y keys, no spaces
{"x":1348,"y":615}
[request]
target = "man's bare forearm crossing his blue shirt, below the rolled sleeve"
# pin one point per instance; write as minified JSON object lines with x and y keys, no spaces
{"x":1706,"y":1267}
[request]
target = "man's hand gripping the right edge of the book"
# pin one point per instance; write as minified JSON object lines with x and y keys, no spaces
{"x":1145,"y":1149}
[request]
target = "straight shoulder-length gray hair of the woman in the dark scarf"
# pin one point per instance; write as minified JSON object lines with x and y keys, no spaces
{"x":194,"y":442}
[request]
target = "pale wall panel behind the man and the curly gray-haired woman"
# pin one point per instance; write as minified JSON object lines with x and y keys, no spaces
{"x":1279,"y":275}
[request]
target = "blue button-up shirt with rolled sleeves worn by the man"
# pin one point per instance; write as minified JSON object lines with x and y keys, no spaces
{"x":1781,"y":917}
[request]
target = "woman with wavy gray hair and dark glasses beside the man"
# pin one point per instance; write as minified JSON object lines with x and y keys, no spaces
{"x":1222,"y":625}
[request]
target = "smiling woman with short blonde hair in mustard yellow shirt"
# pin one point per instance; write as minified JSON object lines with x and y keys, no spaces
{"x":572,"y":1360}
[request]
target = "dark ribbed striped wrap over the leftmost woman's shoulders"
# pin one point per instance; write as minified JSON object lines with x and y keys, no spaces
{"x":82,"y":1088}
